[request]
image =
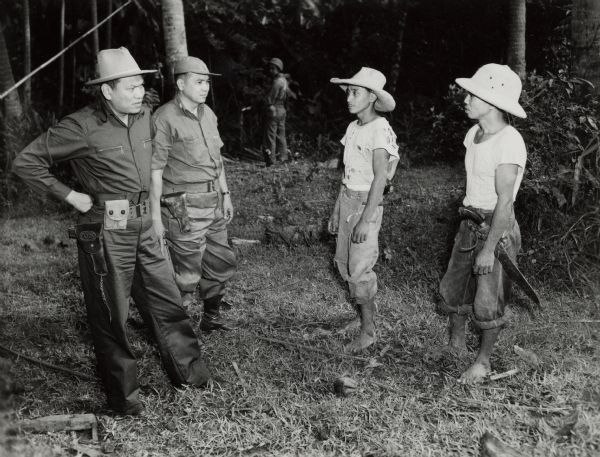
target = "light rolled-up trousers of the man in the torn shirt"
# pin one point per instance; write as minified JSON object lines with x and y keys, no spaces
{"x":355,"y":261}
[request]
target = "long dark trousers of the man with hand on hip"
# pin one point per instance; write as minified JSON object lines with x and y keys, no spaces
{"x":136,"y":267}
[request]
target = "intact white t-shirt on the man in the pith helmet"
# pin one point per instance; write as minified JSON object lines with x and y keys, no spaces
{"x":506,"y":146}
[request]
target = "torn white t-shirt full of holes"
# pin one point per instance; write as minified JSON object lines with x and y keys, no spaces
{"x":359,"y":143}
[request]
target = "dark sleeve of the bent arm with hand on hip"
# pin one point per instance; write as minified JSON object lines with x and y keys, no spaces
{"x":65,"y":141}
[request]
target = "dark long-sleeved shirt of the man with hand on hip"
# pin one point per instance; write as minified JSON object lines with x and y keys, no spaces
{"x":106,"y":156}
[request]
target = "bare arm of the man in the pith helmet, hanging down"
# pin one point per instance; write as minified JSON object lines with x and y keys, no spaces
{"x":503,"y":218}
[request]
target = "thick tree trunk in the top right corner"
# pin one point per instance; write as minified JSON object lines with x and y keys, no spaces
{"x":585,"y":34}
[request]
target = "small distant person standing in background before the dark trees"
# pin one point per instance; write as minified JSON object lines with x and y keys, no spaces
{"x":274,"y":140}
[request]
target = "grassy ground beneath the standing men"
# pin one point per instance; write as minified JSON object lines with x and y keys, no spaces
{"x":280,"y":400}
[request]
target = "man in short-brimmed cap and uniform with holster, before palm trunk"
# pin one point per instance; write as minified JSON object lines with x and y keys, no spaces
{"x":187,"y":159}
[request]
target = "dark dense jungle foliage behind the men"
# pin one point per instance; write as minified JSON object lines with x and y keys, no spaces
{"x":421,"y":46}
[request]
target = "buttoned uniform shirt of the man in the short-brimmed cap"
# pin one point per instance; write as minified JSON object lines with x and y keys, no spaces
{"x":186,"y":145}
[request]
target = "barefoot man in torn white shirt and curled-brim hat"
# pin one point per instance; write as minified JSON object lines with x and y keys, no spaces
{"x":370,"y":159}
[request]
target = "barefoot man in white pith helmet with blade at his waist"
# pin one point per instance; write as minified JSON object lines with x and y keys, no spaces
{"x":475,"y":283}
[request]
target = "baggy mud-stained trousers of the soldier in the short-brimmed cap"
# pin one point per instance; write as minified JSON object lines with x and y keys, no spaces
{"x":202,"y":257}
